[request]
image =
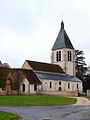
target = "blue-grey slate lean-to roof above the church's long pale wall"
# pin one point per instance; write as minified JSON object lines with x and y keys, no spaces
{"x":57,"y":77}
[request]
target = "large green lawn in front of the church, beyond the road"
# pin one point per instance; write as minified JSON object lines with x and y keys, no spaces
{"x":22,"y":100}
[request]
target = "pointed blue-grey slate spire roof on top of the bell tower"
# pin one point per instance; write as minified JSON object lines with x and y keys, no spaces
{"x":62,"y":40}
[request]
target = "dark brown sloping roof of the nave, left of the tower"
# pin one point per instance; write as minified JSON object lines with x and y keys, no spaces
{"x":45,"y":67}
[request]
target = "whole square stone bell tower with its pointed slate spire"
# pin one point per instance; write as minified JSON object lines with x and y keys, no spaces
{"x":63,"y":52}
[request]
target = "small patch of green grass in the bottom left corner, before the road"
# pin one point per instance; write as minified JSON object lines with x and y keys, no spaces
{"x":8,"y":116}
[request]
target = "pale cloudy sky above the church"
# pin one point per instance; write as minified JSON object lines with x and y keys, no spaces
{"x":28,"y":28}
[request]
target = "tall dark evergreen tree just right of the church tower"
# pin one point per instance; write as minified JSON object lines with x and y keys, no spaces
{"x":80,"y":65}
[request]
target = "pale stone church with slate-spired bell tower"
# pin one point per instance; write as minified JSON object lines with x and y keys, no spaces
{"x":59,"y":75}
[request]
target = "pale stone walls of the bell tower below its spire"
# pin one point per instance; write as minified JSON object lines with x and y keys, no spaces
{"x":67,"y":66}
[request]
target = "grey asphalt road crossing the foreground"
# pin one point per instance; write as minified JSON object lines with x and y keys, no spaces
{"x":67,"y":112}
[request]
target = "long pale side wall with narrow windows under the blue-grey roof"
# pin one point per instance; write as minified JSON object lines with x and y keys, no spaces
{"x":64,"y":85}
